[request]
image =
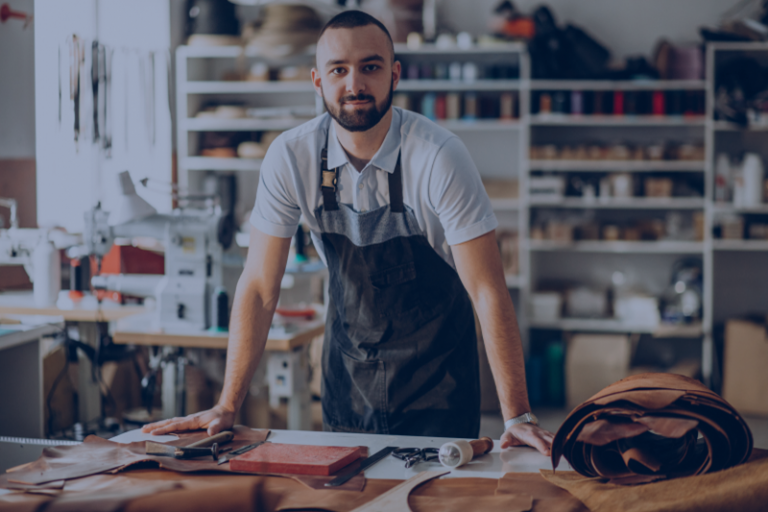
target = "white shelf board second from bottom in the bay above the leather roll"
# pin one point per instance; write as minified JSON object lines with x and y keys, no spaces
{"x":601,"y":246}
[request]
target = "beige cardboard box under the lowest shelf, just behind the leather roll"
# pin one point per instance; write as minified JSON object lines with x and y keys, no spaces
{"x":593,"y":362}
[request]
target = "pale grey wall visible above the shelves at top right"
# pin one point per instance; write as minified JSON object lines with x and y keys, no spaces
{"x":627,"y":27}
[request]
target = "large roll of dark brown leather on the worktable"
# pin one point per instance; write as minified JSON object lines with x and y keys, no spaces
{"x":652,"y":426}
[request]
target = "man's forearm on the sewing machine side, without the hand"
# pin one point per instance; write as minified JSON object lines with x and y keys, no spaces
{"x":252,"y":312}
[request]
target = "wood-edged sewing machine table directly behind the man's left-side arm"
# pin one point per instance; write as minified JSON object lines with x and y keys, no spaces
{"x":287,"y":364}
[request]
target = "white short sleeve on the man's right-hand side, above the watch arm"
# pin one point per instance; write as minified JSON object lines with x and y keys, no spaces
{"x":458,"y":196}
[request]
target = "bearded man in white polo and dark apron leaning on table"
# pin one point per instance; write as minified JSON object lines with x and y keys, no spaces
{"x":398,"y":212}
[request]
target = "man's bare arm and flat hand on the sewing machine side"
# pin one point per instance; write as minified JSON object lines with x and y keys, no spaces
{"x":258,"y":290}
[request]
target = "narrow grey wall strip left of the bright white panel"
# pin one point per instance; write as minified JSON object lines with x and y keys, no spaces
{"x":17,"y":92}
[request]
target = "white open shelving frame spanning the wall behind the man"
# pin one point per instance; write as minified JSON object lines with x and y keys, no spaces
{"x":518,"y":133}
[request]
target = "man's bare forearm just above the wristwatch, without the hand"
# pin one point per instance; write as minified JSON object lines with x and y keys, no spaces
{"x":501,"y":336}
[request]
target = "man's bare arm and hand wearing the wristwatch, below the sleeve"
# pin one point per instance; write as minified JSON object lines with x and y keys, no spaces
{"x":478,"y":263}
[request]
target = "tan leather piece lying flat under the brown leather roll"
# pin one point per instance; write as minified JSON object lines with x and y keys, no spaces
{"x":743,"y":488}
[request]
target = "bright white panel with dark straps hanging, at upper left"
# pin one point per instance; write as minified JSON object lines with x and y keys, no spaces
{"x":73,"y":176}
